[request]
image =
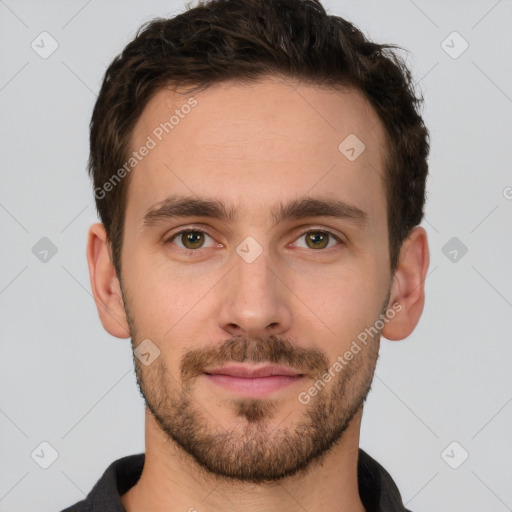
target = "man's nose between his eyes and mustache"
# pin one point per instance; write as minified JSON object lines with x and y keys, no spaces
{"x":255,"y":299}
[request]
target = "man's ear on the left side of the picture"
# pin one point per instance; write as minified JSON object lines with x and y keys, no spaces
{"x":105,"y":284}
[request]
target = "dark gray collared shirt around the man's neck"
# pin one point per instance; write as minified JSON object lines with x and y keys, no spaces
{"x":377,"y":489}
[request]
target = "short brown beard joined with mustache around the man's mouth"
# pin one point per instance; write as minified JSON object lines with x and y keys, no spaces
{"x":251,"y":450}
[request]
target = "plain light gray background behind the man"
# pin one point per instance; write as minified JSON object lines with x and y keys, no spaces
{"x":65,"y":381}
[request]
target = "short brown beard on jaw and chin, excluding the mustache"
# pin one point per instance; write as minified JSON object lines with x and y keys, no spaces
{"x":251,"y":450}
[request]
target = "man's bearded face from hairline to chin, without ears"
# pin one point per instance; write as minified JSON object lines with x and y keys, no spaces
{"x":261,"y":288}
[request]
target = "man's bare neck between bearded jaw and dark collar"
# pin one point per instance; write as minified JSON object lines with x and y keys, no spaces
{"x":171,"y":481}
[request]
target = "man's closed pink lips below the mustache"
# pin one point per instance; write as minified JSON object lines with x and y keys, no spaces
{"x":253,"y":382}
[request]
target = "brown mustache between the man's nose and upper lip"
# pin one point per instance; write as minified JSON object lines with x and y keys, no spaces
{"x":241,"y":349}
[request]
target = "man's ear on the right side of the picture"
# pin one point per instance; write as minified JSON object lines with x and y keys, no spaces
{"x":407,"y":290}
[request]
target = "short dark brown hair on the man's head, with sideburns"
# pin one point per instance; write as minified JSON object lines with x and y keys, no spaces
{"x":244,"y":40}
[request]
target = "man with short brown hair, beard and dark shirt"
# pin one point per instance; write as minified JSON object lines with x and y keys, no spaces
{"x":259,"y":169}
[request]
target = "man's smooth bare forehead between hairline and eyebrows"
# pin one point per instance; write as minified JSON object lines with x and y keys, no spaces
{"x":249,"y":144}
